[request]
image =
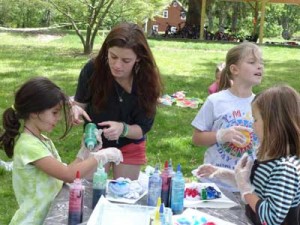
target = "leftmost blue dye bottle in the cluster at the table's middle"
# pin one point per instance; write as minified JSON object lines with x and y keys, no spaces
{"x":154,"y":188}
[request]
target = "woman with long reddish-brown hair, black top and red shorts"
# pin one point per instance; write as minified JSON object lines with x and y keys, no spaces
{"x":118,"y":90}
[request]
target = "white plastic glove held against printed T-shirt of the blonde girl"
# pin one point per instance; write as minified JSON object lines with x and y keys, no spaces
{"x":232,"y":134}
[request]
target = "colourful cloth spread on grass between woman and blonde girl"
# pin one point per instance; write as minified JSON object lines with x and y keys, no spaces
{"x":179,"y":99}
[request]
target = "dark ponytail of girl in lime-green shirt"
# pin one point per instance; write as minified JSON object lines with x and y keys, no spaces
{"x":11,"y":126}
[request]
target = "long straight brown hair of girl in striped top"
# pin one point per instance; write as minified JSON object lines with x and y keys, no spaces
{"x":279,"y":107}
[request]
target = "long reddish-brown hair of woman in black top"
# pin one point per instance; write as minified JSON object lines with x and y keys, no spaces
{"x":146,"y":76}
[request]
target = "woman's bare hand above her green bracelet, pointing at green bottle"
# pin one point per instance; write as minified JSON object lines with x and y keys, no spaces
{"x":112,"y":130}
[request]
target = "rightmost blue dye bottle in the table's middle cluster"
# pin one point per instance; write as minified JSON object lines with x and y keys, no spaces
{"x":177,"y":195}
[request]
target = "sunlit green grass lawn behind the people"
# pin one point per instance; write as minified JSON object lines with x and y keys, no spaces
{"x":185,"y":66}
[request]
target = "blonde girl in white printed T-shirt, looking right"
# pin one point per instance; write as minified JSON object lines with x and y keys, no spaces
{"x":224,"y":121}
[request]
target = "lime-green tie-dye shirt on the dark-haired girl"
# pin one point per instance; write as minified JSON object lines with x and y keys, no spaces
{"x":34,"y":189}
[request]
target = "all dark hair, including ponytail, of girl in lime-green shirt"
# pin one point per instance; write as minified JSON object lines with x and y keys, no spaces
{"x":34,"y":96}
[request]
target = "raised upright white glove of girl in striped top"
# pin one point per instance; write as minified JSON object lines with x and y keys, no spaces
{"x":242,"y":175}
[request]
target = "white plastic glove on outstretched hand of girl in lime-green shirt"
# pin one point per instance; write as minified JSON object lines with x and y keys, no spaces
{"x":108,"y":155}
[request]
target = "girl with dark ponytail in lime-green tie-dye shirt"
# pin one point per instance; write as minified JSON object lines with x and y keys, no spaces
{"x":38,"y":172}
